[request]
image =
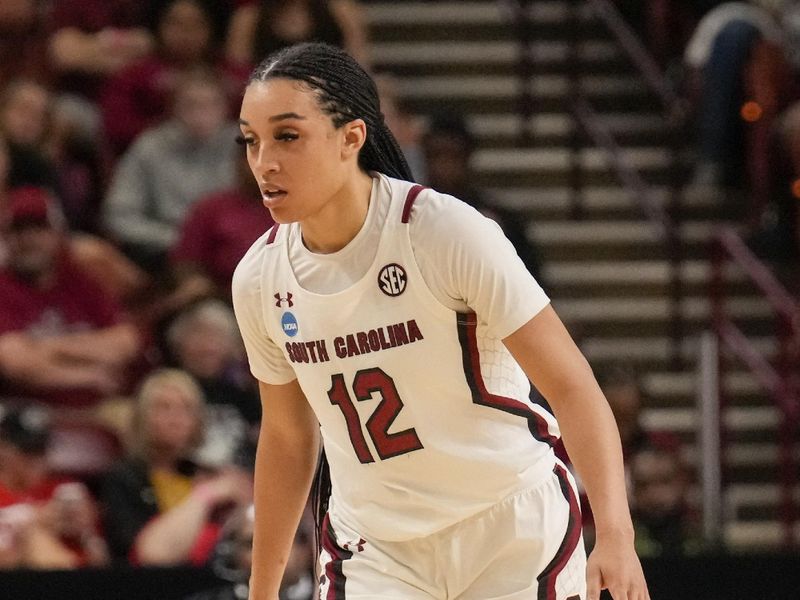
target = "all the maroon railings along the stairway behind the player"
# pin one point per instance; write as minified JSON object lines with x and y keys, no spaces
{"x":781,"y":381}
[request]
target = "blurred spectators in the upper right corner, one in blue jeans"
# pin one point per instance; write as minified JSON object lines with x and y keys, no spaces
{"x":737,"y":65}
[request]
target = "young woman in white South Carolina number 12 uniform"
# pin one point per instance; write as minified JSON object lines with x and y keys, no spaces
{"x":399,"y":325}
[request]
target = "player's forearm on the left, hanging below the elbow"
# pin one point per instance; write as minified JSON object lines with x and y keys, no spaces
{"x":284,"y":470}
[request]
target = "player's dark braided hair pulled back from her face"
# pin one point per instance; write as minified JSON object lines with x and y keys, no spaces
{"x":345,"y":92}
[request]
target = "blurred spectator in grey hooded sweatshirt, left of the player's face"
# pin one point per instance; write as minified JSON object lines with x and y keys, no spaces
{"x":169,"y":168}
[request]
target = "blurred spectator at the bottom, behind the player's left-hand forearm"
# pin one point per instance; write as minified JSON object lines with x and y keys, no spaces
{"x":233,"y":557}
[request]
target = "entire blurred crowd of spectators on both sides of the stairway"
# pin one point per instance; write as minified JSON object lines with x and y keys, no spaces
{"x":128,"y":416}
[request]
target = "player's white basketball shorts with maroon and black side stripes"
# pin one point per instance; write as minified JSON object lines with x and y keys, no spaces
{"x":529,"y":546}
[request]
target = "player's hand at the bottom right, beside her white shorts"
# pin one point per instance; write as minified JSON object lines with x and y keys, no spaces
{"x":613,"y":565}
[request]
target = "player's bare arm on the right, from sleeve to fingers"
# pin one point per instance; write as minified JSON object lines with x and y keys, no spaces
{"x":548,"y":355}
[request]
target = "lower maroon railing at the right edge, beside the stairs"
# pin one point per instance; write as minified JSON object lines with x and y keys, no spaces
{"x":781,"y":380}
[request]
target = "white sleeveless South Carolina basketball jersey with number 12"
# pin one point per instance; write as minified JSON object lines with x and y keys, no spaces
{"x":425,"y":417}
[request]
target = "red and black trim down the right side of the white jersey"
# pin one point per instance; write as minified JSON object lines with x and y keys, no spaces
{"x":467,"y":337}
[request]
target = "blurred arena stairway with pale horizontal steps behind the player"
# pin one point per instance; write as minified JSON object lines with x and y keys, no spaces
{"x":607,"y":274}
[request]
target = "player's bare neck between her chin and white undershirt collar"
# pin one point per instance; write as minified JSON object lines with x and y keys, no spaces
{"x":340,"y":220}
